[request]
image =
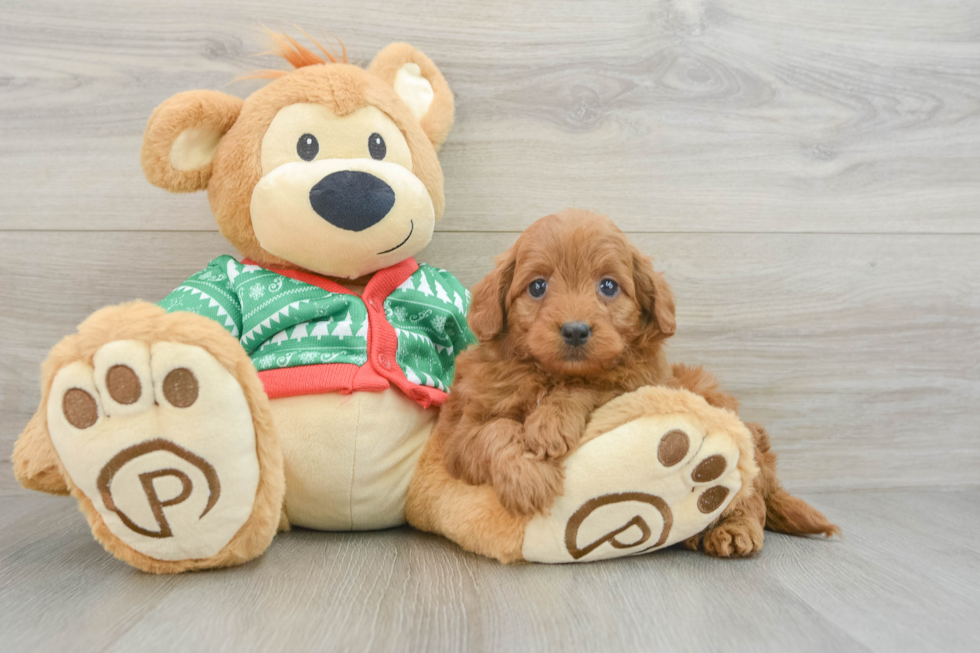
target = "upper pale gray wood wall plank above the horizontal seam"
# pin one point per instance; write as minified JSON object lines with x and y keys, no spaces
{"x":676,"y":115}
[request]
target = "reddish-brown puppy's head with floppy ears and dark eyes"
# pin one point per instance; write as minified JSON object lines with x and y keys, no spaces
{"x":572,"y":294}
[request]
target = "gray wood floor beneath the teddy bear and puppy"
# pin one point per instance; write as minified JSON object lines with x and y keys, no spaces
{"x":899,"y":581}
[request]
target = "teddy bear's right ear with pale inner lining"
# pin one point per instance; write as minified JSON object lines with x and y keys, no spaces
{"x":420,"y":85}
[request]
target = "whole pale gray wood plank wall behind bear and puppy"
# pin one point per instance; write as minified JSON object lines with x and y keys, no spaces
{"x":807,"y":174}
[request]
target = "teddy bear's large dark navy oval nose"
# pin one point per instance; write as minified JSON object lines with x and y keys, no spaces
{"x":352,"y":200}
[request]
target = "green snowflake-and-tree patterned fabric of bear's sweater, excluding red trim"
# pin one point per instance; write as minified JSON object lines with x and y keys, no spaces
{"x":282,"y":322}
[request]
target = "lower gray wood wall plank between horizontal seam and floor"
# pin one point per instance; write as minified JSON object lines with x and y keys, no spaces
{"x":859,"y":353}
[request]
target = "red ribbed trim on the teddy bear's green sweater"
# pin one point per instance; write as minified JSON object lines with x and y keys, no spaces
{"x":381,"y":369}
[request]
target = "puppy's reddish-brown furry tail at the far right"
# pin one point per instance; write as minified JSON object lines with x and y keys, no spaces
{"x":784,"y":512}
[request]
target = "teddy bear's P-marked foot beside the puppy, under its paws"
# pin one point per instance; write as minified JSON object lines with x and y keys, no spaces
{"x":662,"y":467}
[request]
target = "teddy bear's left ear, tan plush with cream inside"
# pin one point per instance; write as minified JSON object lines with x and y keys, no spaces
{"x":181,"y":138}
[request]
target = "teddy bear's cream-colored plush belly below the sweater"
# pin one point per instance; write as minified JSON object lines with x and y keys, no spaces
{"x":349,"y":458}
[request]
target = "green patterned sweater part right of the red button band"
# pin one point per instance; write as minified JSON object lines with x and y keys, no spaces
{"x":428,"y":312}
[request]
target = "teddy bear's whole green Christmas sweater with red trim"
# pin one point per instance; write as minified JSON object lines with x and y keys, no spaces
{"x":413,"y":314}
